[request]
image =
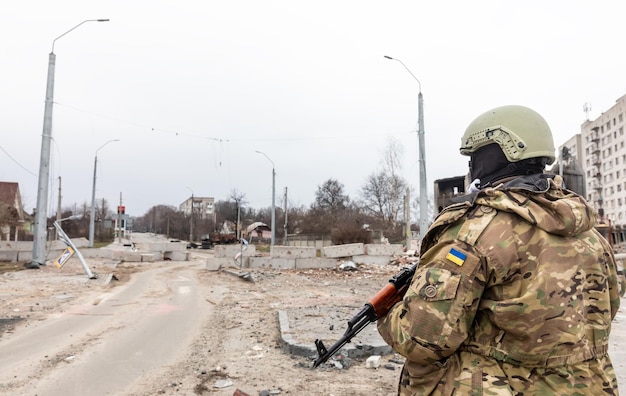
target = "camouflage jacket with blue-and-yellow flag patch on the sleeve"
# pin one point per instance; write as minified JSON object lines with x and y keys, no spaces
{"x":514,"y":295}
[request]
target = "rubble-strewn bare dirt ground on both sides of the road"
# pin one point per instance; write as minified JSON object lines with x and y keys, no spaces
{"x":239,"y":349}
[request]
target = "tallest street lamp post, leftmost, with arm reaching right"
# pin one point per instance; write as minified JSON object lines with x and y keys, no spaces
{"x":41,"y":214}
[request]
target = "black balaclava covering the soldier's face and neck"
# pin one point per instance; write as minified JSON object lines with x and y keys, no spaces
{"x":489,"y":164}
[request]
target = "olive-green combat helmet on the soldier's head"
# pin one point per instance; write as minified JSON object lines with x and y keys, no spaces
{"x":520,"y":132}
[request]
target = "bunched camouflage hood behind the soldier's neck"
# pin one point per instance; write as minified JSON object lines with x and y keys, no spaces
{"x":540,"y":200}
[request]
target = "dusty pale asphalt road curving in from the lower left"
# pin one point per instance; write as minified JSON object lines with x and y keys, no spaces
{"x":110,"y":341}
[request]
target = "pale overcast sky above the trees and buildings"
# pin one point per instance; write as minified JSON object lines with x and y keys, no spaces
{"x":192,"y":89}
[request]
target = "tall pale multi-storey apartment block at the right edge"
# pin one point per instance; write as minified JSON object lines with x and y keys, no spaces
{"x":604,"y":165}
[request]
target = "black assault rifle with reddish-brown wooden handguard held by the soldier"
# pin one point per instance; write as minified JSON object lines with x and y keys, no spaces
{"x":375,"y":308}
